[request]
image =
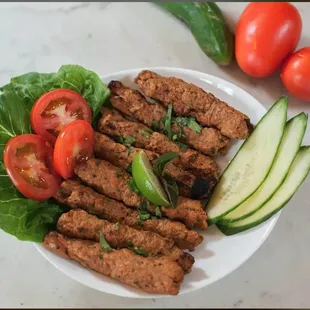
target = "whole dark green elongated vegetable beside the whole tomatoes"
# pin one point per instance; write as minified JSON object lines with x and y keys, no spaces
{"x":208,"y":26}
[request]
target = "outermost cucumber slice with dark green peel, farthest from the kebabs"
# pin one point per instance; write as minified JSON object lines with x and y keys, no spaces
{"x":297,"y":174}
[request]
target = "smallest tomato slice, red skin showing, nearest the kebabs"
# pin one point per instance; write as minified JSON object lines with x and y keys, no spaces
{"x":74,"y":145}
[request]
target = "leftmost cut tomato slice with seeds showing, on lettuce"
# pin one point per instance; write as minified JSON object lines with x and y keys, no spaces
{"x":28,"y":160}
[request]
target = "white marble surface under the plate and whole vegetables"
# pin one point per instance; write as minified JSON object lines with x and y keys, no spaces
{"x":108,"y":37}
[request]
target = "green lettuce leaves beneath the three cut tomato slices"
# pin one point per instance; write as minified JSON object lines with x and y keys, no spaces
{"x":24,"y":218}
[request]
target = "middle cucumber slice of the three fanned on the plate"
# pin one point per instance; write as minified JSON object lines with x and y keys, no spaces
{"x":290,"y":144}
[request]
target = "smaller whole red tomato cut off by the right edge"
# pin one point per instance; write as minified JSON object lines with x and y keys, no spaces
{"x":295,"y":74}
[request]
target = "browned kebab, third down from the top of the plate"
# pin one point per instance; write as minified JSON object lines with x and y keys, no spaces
{"x":112,"y":123}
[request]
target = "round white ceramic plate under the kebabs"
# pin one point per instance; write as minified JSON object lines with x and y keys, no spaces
{"x":218,"y":255}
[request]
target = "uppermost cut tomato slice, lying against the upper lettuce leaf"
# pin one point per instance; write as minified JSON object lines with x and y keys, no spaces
{"x":56,"y":109}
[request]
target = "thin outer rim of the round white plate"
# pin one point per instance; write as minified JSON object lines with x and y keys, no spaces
{"x":269,"y":229}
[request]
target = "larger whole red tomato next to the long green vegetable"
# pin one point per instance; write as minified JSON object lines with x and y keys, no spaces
{"x":266,"y":33}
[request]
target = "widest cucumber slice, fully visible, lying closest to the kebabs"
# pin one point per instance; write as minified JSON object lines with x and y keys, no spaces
{"x":250,"y":166}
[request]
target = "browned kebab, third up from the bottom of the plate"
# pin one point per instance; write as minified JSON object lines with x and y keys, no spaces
{"x":77,"y":196}
